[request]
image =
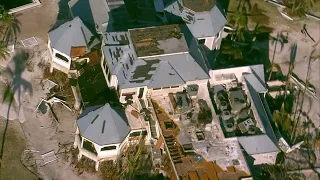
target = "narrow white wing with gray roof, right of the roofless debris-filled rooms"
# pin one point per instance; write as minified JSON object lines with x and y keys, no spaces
{"x":262,"y":147}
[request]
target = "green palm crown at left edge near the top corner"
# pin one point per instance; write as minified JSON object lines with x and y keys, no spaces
{"x":9,"y":26}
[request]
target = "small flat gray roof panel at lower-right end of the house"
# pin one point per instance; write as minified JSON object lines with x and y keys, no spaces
{"x":257,"y":144}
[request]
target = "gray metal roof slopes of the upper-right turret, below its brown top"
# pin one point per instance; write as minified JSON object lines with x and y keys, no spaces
{"x":211,"y":22}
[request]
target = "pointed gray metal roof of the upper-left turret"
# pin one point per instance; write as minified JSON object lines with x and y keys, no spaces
{"x":70,"y":34}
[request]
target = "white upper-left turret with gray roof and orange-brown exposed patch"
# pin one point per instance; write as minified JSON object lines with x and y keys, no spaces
{"x":68,"y":43}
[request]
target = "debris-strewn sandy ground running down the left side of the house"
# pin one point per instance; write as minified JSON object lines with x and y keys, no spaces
{"x":28,"y":92}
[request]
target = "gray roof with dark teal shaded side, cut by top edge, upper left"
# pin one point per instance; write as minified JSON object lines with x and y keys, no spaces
{"x":95,"y":12}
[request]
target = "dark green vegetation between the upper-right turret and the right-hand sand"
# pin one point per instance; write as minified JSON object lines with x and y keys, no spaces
{"x":248,"y":42}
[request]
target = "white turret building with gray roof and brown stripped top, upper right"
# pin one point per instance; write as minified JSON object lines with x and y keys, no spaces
{"x":204,"y":19}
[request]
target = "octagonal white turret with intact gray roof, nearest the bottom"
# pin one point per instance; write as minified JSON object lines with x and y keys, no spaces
{"x":103,"y":132}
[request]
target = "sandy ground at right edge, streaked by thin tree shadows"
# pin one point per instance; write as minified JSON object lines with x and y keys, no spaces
{"x":304,"y":48}
